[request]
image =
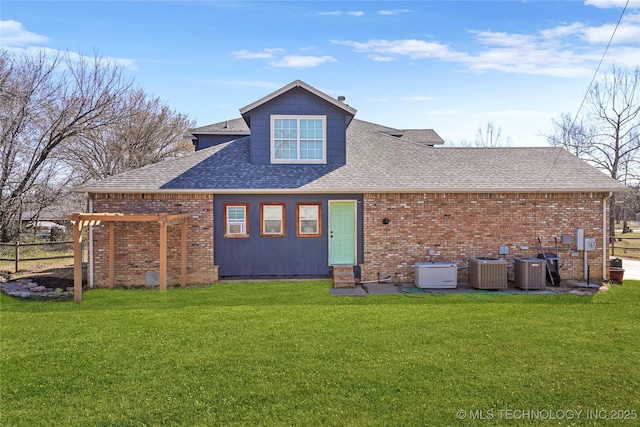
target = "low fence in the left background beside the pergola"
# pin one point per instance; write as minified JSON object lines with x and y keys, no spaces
{"x":19,"y":252}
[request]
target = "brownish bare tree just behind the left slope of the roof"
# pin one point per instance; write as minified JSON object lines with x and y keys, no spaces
{"x":147,"y":132}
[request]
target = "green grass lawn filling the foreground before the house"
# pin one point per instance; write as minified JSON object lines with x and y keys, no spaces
{"x":288,"y":354}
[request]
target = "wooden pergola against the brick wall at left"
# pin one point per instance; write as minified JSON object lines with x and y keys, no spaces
{"x":164,"y":220}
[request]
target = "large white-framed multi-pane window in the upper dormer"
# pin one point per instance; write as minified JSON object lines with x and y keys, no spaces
{"x":298,"y":139}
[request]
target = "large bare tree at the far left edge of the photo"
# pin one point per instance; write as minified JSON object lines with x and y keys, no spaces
{"x":44,"y":102}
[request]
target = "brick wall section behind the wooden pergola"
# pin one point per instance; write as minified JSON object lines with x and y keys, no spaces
{"x":138,"y":244}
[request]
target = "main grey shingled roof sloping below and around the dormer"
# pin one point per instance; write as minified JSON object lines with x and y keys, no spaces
{"x":376,"y":162}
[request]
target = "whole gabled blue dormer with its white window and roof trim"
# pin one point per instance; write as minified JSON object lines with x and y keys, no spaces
{"x":298,"y":124}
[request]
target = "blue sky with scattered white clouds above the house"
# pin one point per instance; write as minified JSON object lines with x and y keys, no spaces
{"x":452,"y":66}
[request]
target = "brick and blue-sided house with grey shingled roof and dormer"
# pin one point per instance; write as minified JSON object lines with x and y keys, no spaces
{"x":297,"y":187}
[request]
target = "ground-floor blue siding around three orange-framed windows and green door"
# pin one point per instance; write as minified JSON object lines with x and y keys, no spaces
{"x":289,"y":256}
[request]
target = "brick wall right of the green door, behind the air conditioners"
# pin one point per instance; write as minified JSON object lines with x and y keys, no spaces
{"x":459,"y":226}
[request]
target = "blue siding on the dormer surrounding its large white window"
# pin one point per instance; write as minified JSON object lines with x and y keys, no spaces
{"x":298,"y":101}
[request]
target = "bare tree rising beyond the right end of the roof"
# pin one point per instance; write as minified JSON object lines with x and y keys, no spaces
{"x":608,"y":136}
